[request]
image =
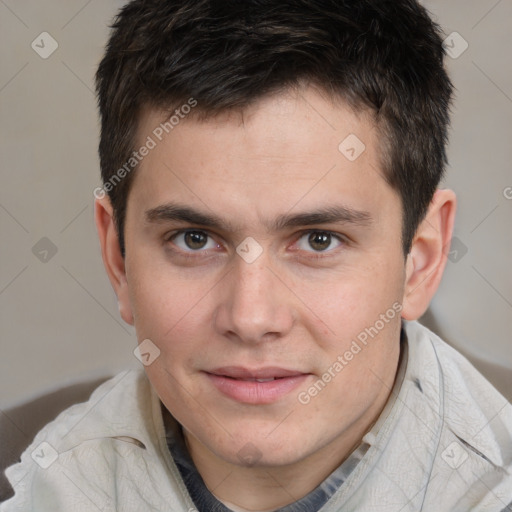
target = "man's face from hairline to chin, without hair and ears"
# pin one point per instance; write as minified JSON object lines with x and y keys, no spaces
{"x":258,"y":254}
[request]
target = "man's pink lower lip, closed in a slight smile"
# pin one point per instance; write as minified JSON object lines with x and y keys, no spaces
{"x":256,"y":393}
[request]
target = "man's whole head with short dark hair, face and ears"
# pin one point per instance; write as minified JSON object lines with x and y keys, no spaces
{"x":289,"y":205}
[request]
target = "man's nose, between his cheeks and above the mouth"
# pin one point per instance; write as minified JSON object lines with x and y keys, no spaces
{"x":254,"y":305}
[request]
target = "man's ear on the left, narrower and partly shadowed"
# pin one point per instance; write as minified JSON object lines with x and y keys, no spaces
{"x":112,"y":257}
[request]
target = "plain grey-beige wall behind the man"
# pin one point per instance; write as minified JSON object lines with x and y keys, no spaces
{"x":58,"y":314}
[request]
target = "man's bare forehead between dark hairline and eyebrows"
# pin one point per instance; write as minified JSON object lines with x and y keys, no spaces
{"x":289,"y":148}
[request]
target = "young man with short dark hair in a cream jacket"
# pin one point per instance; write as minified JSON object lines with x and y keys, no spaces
{"x":271,"y":224}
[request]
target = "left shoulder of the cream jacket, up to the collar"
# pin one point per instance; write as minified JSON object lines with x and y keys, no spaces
{"x":97,"y":454}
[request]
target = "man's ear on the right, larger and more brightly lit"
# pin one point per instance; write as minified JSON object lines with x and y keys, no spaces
{"x":427,"y":258}
